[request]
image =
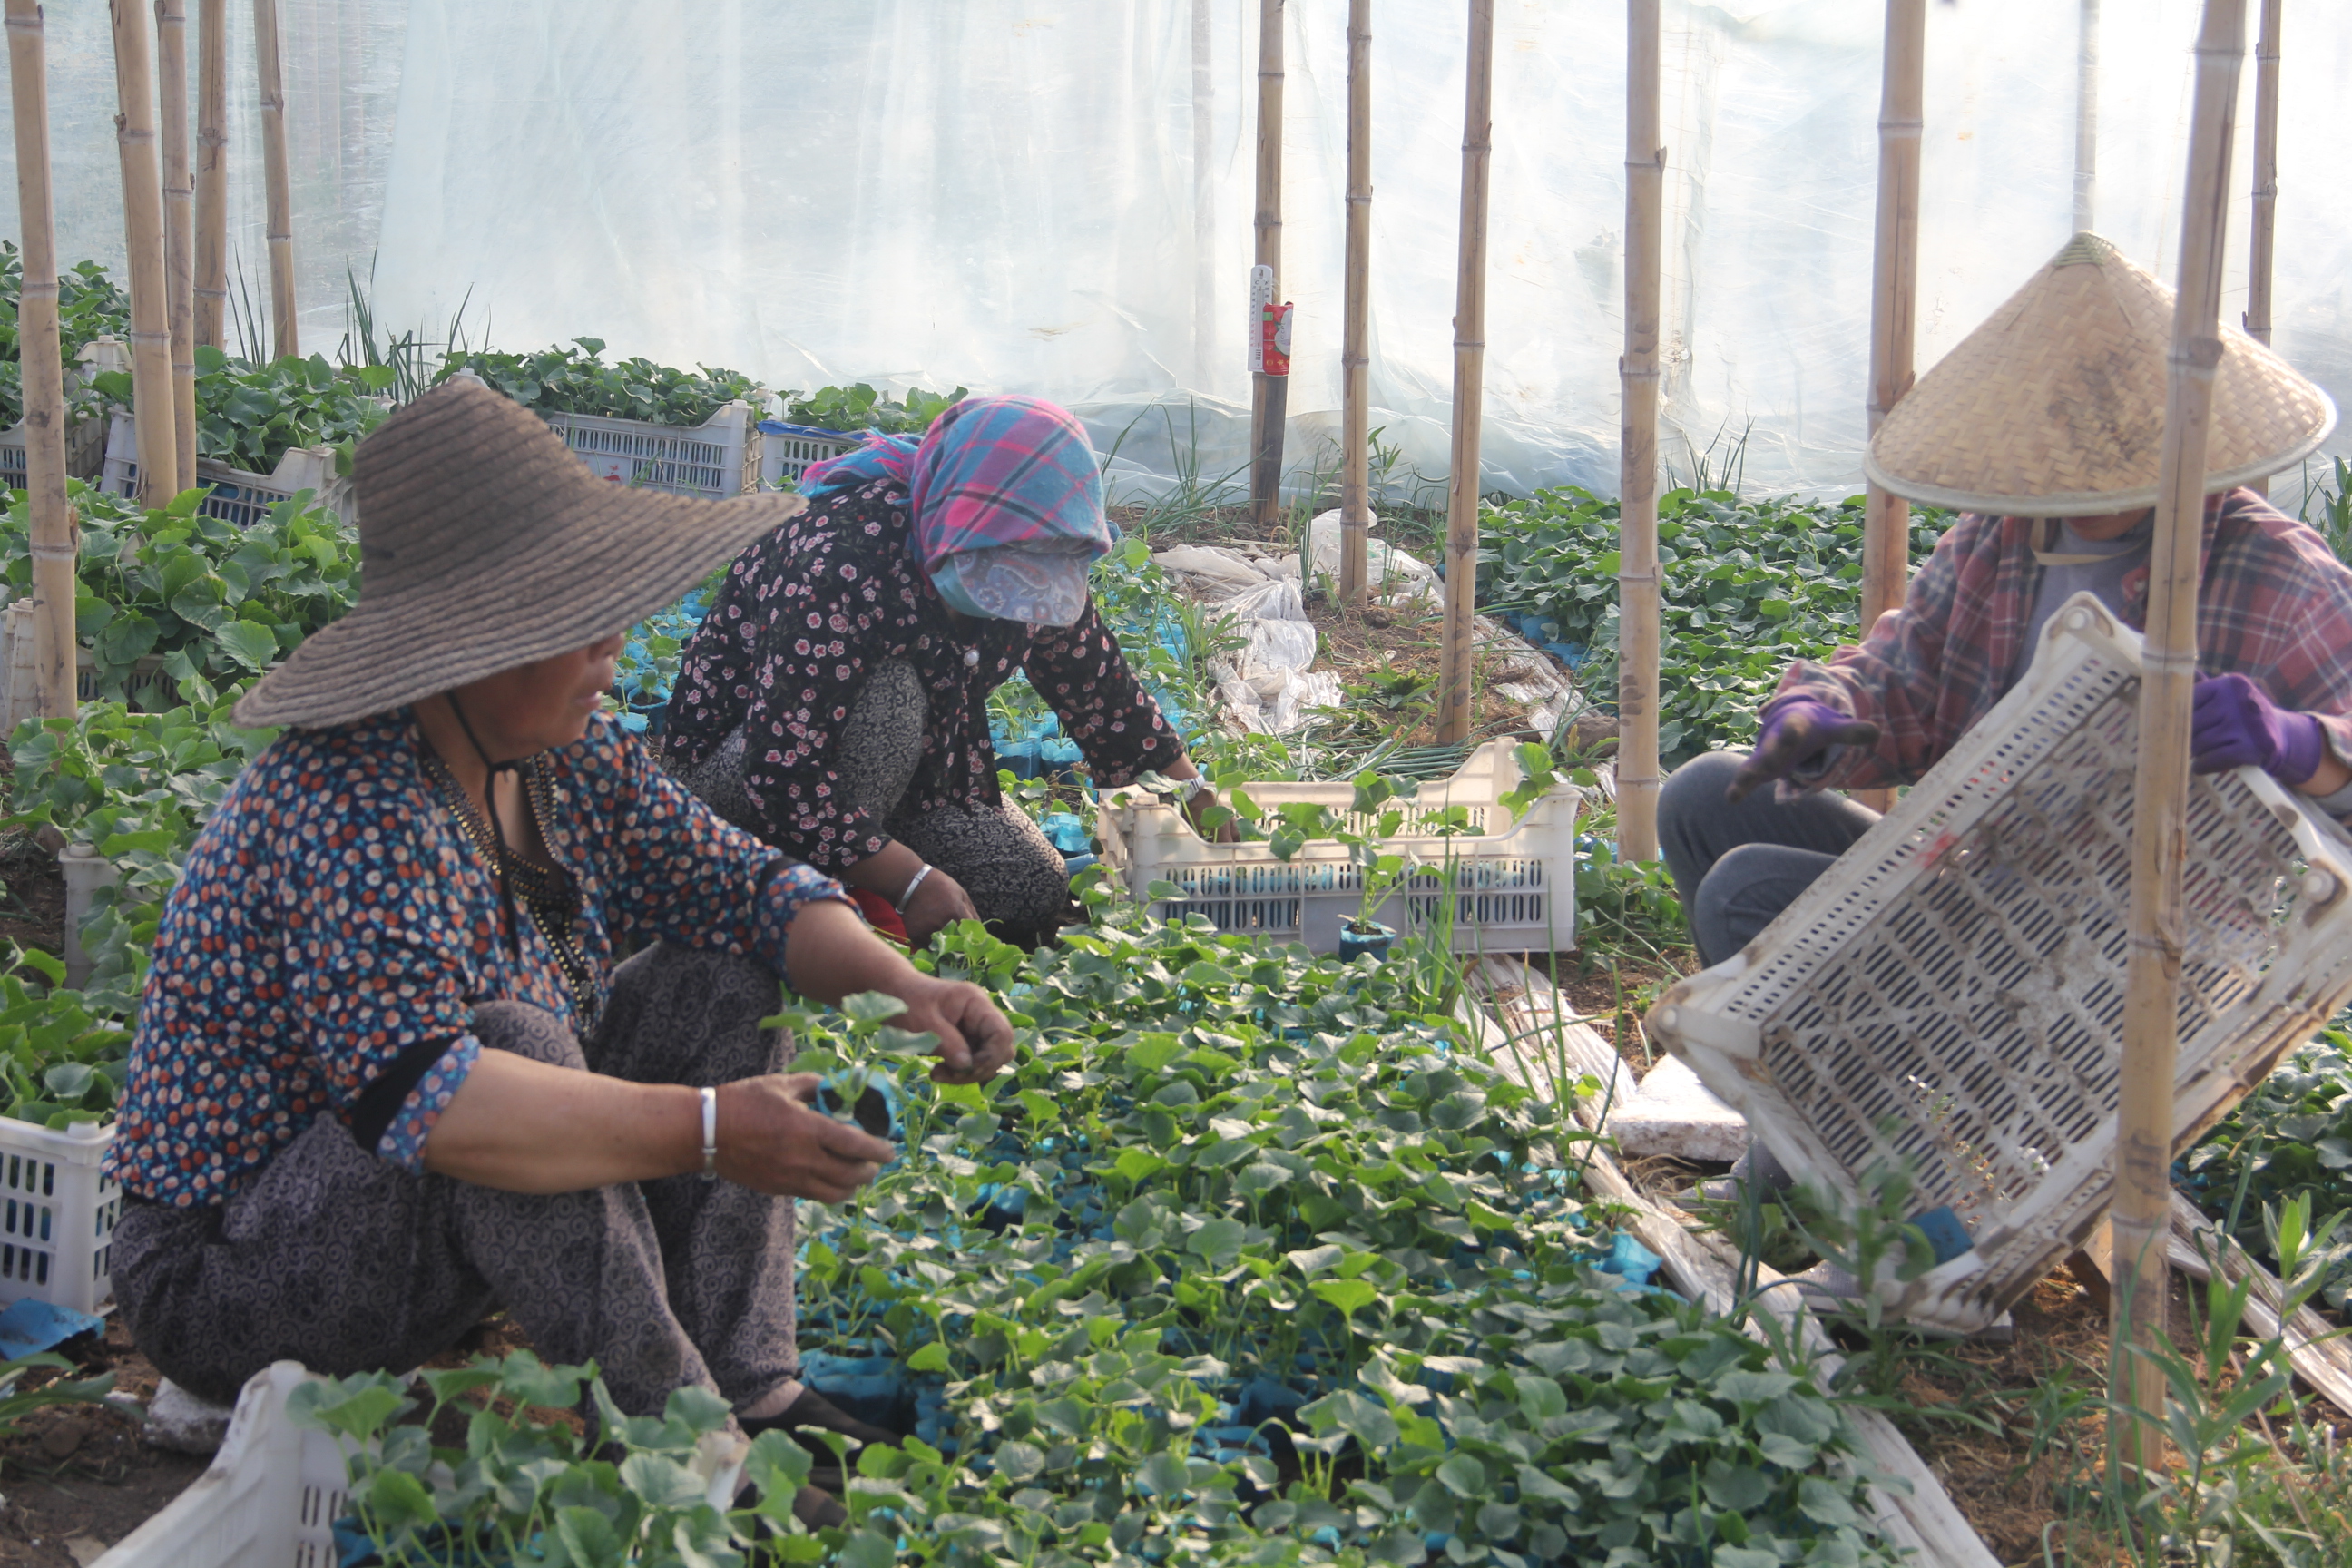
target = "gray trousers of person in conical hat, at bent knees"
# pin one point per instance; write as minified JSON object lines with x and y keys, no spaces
{"x":1737,"y":866}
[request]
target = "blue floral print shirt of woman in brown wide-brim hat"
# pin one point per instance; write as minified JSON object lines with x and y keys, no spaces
{"x":338,"y":927}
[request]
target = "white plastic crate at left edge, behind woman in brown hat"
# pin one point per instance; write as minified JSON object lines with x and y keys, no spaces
{"x":58,"y":1214}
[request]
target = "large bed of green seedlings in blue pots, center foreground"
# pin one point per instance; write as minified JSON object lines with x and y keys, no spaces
{"x":1248,"y":1261}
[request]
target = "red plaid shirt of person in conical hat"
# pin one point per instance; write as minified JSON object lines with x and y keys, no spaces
{"x":2273,"y":603}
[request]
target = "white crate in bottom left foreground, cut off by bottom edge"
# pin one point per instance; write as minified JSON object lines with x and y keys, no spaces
{"x":269,"y":1499}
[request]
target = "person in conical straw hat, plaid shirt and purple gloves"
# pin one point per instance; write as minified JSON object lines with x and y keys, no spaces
{"x":2045,"y":431}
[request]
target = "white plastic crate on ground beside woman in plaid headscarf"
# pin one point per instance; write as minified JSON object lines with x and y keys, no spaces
{"x":1511,"y":885}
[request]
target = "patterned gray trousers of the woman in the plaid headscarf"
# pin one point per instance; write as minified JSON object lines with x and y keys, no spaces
{"x":1015,"y":876}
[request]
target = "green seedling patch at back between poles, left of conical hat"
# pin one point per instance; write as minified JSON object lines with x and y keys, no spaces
{"x":1746,"y":587}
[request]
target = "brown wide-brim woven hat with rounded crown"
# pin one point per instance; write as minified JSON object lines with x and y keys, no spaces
{"x":486,"y":547}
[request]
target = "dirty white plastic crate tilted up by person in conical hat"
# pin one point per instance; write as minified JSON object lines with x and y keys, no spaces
{"x":1951,"y":996}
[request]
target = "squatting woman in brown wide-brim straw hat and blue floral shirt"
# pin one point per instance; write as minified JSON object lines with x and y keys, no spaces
{"x":387,"y":1071}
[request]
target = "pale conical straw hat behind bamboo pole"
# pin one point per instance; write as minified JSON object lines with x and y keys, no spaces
{"x":2054,"y":408}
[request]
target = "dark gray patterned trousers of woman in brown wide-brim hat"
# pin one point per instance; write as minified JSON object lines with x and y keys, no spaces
{"x":347,"y":1264}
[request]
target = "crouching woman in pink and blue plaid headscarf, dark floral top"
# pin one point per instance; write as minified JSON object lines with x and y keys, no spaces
{"x":836,"y":699}
